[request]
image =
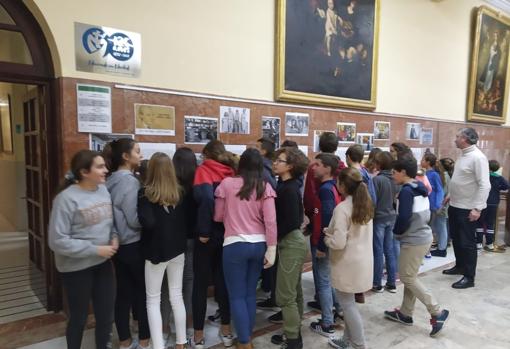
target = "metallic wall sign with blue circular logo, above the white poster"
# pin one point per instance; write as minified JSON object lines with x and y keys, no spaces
{"x":107,"y":50}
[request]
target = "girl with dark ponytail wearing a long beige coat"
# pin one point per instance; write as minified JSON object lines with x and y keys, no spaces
{"x":349,"y":232}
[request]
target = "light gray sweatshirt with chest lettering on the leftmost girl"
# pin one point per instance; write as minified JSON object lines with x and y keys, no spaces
{"x":80,"y":221}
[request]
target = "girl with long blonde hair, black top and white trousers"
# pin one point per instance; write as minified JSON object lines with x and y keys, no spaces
{"x":162,"y":217}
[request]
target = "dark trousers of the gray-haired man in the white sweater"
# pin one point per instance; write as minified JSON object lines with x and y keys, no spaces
{"x":463,"y":234}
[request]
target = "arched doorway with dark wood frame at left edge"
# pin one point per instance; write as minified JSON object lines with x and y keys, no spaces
{"x":29,"y":136}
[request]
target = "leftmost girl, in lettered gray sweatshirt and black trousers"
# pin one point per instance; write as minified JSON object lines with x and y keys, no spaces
{"x":81,"y":235}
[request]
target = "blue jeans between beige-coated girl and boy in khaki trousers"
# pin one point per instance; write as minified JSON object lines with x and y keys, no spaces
{"x":384,"y":250}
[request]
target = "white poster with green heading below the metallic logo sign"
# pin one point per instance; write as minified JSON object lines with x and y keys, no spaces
{"x":94,"y":108}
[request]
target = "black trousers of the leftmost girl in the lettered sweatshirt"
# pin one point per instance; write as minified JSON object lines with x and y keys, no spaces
{"x":97,"y":284}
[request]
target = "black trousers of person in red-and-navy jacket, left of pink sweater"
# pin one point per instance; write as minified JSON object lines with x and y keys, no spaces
{"x":207,"y":265}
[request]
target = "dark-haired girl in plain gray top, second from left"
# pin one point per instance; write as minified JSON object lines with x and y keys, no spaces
{"x":124,"y":159}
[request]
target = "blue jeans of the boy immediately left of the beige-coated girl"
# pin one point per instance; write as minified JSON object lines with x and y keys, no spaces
{"x":327,"y":294}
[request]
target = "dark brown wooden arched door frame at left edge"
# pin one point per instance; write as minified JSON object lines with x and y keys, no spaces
{"x":40,"y":73}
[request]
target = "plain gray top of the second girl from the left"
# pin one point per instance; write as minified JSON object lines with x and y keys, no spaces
{"x":123,"y":187}
